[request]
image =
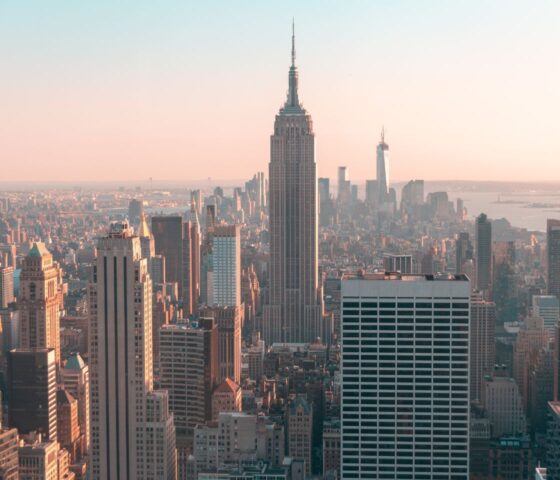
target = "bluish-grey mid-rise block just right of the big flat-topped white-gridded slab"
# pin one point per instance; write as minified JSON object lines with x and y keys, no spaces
{"x":504,"y":404}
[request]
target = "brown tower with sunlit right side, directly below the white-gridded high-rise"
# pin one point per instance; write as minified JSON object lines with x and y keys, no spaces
{"x":229,"y":322}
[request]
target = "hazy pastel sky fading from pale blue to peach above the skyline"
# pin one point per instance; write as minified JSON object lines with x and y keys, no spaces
{"x":125,"y":90}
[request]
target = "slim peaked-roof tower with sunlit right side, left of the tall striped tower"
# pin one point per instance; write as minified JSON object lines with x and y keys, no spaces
{"x":75,"y":378}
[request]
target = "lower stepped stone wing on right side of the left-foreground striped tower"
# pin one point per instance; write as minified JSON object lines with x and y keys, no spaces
{"x":161,"y":457}
